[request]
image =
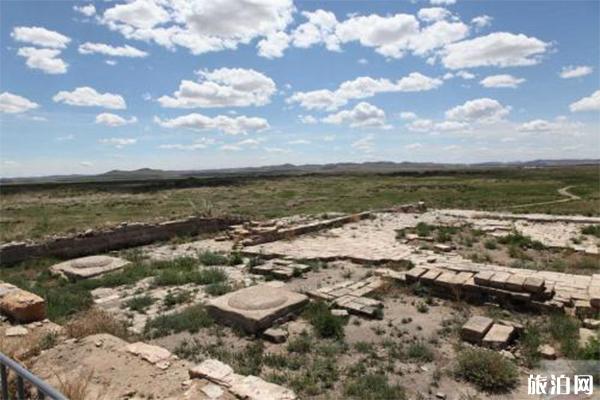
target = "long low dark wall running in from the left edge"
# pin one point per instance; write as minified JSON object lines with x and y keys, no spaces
{"x":123,"y":236}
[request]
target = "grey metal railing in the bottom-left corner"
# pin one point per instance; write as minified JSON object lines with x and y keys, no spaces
{"x":43,"y":389}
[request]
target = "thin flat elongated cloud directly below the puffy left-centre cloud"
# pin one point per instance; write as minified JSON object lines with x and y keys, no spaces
{"x":229,"y":125}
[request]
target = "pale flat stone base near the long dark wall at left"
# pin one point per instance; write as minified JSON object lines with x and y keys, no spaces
{"x":88,"y":267}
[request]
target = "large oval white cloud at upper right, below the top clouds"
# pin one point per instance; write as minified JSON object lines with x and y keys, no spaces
{"x":499,"y":49}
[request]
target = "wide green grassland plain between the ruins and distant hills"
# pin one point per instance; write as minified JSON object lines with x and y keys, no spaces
{"x":36,"y":211}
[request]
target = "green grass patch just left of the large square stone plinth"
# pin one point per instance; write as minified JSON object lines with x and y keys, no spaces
{"x":191,"y":319}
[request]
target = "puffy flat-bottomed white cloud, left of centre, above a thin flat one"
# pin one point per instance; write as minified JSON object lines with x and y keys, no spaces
{"x":224,"y":87}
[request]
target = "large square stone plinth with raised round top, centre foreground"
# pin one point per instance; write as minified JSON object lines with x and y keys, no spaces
{"x":256,"y":308}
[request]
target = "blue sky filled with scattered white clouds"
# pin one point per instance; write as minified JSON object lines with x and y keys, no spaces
{"x":87,"y":87}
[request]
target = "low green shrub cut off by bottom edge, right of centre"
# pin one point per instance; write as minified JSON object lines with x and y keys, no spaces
{"x":373,"y":387}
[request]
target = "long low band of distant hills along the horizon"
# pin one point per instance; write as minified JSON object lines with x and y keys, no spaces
{"x":289,"y":169}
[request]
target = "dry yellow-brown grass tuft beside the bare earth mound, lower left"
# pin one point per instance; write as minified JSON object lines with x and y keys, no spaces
{"x":94,"y":321}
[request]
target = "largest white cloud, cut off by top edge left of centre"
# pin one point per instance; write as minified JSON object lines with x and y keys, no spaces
{"x":197,"y":25}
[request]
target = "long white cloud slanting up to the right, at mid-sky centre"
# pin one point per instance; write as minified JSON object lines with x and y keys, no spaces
{"x":361,"y":88}
